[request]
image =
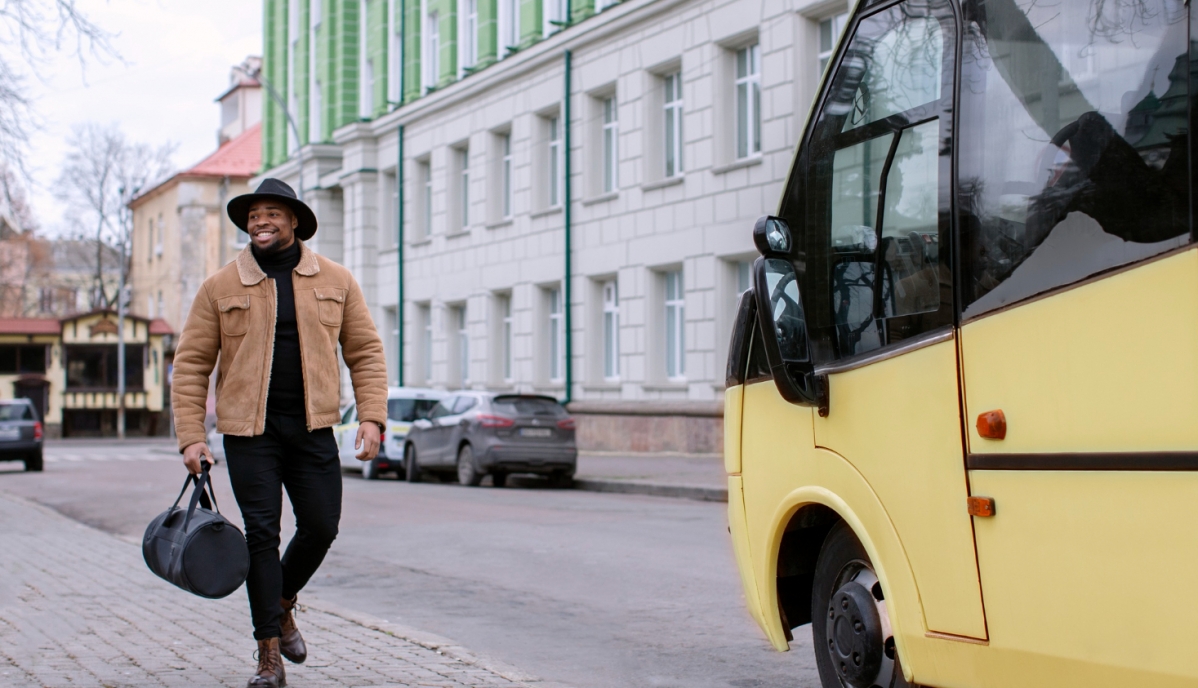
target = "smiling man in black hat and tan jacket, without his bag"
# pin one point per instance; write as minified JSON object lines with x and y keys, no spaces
{"x":274,"y":318}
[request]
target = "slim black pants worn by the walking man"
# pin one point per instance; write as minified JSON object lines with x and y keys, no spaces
{"x":286,"y":456}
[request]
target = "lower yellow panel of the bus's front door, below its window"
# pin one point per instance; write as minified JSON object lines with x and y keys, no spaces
{"x":898,"y":423}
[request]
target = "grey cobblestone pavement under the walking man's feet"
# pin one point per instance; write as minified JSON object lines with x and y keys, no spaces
{"x":78,"y":607}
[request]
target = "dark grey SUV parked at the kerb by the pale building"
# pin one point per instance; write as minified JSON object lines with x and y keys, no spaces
{"x":482,"y":433}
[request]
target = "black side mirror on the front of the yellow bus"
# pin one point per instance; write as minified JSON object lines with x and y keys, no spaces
{"x":783,"y":319}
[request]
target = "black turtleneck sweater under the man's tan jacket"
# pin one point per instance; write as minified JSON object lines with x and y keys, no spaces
{"x":286,"y":394}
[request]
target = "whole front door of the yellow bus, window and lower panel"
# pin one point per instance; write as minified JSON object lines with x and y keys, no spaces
{"x":872,"y":197}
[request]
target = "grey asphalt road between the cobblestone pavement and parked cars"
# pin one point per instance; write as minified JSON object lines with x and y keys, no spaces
{"x":583,"y":589}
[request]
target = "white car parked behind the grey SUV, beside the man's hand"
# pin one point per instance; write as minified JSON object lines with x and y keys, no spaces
{"x":404,"y":406}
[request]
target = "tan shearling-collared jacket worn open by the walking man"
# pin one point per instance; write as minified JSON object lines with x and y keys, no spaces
{"x":233,"y":321}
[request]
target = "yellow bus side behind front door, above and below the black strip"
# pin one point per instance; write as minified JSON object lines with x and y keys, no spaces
{"x":1084,"y":565}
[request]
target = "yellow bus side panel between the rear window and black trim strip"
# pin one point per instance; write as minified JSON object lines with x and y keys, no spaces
{"x":1111,"y":366}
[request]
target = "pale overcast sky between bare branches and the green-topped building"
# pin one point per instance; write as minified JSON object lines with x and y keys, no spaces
{"x":177,"y":58}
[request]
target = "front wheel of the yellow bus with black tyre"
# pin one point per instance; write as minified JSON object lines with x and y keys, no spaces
{"x":850,"y":623}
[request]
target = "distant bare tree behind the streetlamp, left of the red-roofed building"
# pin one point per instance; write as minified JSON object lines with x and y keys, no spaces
{"x":104,"y":171}
